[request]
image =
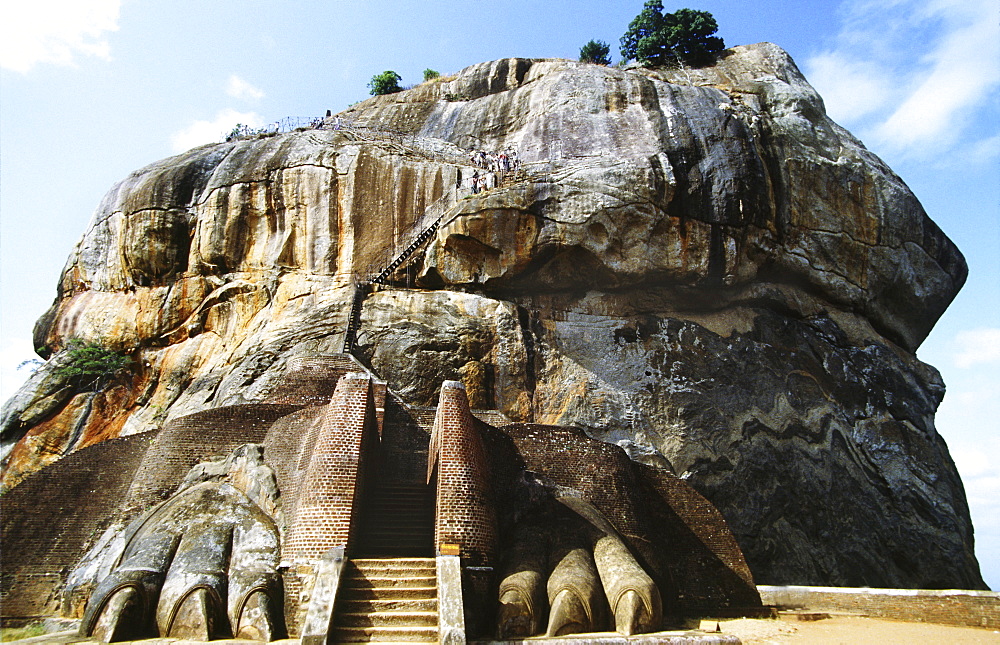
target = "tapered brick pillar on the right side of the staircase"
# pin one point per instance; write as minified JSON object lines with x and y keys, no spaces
{"x":465,"y":512}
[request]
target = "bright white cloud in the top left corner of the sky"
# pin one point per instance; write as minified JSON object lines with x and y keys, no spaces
{"x":55,"y":31}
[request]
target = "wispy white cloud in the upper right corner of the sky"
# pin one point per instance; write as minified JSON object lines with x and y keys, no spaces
{"x":911,"y":74}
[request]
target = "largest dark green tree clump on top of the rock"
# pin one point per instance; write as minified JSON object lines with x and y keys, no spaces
{"x":655,"y":38}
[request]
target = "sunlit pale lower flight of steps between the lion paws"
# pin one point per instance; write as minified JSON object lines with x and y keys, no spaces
{"x":392,"y":599}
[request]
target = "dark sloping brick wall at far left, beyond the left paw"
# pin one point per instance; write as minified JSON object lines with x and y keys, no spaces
{"x":52,"y":517}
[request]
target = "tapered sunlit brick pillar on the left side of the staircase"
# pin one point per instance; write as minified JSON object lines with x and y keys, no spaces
{"x":347,"y":440}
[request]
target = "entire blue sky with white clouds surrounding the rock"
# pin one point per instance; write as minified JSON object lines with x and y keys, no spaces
{"x":93,"y":89}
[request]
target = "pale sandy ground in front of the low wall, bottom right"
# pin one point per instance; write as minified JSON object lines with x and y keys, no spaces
{"x":851,"y":630}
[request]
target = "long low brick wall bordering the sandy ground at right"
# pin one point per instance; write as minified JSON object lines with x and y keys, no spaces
{"x":946,"y":607}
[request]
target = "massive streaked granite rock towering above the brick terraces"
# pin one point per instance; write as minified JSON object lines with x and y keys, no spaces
{"x":697,"y":265}
